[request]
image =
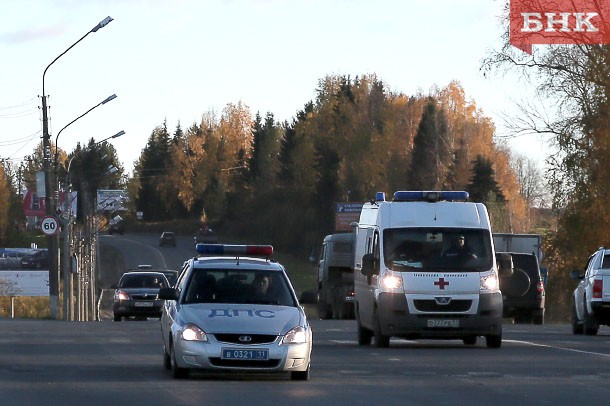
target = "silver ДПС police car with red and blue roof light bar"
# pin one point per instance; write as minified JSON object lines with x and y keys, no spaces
{"x":233,"y":311}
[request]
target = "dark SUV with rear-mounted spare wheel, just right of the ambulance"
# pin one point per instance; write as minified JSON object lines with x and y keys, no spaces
{"x":523,"y":292}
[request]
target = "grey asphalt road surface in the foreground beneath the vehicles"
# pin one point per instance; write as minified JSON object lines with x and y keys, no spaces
{"x":70,"y":363}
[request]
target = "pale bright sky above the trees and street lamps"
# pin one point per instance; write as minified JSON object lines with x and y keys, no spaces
{"x":175,"y":60}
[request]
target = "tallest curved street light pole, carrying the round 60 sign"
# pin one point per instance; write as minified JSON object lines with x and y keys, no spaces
{"x":49,"y":206}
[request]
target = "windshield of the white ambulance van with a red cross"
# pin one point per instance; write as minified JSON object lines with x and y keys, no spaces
{"x":437,"y":248}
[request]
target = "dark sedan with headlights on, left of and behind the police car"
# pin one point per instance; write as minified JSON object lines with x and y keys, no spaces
{"x":137,"y":295}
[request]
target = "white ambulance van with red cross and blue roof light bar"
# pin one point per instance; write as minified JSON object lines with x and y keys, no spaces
{"x":425,"y":267}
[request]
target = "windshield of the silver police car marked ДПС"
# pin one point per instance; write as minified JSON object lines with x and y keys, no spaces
{"x":241,"y":286}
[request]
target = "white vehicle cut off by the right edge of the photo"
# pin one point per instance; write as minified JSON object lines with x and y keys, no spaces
{"x":591,"y":298}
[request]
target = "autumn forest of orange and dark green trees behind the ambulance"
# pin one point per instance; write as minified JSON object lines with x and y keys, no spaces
{"x":279,"y":182}
